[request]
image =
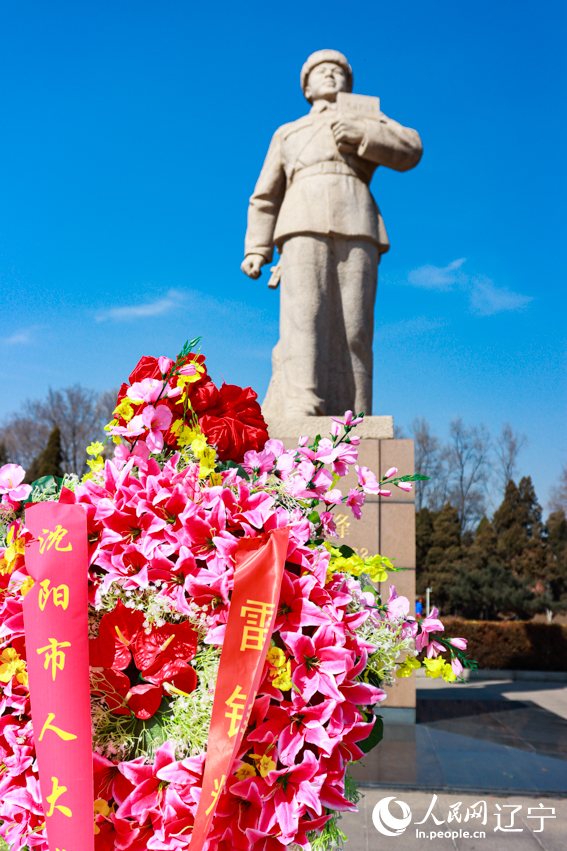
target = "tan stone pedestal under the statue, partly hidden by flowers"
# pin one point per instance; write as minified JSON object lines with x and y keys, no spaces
{"x":387,"y":525}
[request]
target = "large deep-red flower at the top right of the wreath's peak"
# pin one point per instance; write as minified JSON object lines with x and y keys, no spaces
{"x":235,"y":424}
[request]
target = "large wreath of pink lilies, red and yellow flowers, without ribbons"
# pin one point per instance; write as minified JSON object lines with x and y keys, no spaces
{"x":193,"y":472}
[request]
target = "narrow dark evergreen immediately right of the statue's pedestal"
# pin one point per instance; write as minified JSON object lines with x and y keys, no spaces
{"x":444,"y":555}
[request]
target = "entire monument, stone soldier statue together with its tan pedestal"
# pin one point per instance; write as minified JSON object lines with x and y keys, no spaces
{"x":313,"y":203}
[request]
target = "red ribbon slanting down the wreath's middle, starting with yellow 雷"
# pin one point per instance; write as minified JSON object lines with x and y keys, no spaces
{"x":257,"y":582}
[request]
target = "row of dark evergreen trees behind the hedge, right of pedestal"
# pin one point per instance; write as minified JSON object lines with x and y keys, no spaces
{"x":511,"y":567}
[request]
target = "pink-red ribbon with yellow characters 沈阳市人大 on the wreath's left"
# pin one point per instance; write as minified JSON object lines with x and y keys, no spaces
{"x":56,"y":628}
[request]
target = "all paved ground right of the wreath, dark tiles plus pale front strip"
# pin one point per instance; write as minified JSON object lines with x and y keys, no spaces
{"x":502,"y":743}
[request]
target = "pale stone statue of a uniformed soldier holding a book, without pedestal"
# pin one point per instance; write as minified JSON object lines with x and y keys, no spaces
{"x":313,"y":202}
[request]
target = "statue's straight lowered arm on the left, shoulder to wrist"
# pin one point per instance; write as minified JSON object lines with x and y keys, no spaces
{"x":265,"y":203}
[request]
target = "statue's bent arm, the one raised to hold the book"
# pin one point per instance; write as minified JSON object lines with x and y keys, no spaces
{"x":391,"y":144}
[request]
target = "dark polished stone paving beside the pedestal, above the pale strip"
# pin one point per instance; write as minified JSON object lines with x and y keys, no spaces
{"x":489,"y":737}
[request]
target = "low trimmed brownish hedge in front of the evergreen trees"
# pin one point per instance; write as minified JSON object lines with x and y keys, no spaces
{"x":512,"y":645}
